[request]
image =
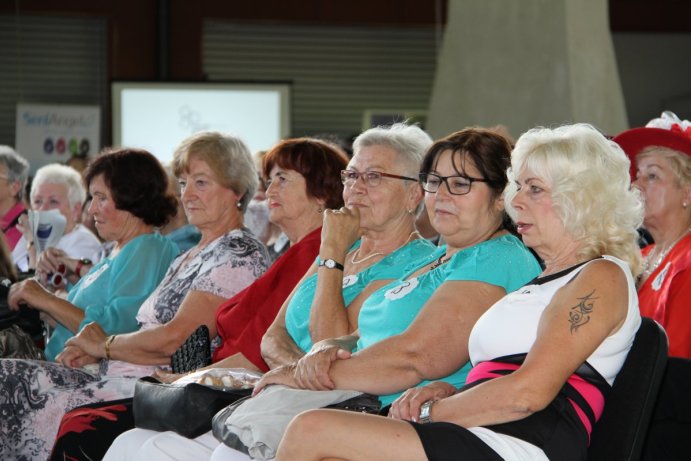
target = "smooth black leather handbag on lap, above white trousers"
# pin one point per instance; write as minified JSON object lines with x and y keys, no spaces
{"x":186,"y":409}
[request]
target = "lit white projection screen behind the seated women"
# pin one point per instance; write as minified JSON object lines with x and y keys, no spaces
{"x":157,"y":116}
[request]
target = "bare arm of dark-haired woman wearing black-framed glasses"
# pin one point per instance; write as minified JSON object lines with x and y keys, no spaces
{"x":434,"y":345}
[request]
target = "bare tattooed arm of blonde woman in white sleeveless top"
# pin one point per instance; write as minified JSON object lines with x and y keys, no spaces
{"x":562,"y":345}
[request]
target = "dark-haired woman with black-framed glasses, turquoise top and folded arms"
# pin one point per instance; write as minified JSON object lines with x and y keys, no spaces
{"x":409,"y":330}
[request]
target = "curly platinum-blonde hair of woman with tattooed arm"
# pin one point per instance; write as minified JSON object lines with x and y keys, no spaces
{"x":591,"y":188}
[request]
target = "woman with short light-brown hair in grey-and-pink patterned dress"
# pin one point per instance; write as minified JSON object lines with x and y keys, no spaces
{"x":218,"y":178}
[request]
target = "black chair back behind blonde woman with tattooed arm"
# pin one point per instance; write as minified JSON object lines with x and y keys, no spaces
{"x":620,"y":433}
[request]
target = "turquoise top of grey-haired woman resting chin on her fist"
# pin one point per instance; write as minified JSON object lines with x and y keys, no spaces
{"x":391,"y":267}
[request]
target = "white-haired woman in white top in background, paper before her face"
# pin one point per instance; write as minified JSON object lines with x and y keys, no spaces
{"x":58,"y":187}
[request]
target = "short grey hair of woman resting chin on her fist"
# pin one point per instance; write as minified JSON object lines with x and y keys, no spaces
{"x":410,"y":141}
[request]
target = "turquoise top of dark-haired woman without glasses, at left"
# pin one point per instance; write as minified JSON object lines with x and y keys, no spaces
{"x":114,"y":289}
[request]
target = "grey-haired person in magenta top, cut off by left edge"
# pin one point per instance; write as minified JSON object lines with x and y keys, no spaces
{"x":13,"y":174}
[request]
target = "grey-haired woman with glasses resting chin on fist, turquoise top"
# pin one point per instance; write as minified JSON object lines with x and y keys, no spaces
{"x":369,"y":242}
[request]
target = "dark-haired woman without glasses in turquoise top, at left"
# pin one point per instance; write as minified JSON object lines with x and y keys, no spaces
{"x":130,"y":200}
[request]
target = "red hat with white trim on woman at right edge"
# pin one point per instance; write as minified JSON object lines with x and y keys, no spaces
{"x":666,"y":131}
